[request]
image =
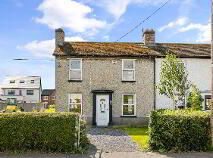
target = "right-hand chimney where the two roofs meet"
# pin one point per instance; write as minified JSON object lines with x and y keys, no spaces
{"x":149,"y":37}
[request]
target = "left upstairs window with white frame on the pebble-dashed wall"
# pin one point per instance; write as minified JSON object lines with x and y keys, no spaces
{"x":75,"y":69}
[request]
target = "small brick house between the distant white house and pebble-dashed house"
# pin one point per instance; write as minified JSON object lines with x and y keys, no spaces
{"x":48,"y":97}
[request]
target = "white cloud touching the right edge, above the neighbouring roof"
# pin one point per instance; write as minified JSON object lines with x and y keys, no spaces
{"x":204,"y":31}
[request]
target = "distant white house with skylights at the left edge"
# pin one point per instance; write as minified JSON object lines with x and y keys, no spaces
{"x":18,"y":90}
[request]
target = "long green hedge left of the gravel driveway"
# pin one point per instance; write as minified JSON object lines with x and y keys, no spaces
{"x":51,"y":132}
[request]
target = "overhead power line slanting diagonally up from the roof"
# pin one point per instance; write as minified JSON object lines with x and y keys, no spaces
{"x":147,"y":18}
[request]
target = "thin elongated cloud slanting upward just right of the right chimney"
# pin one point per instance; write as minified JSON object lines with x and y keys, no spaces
{"x":179,"y":22}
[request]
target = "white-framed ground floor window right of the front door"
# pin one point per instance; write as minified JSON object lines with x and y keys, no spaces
{"x":129,"y":105}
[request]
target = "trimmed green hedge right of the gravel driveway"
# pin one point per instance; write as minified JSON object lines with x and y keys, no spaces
{"x":179,"y":130}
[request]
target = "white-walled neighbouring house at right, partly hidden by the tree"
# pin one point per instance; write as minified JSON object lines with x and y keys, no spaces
{"x":197,"y":61}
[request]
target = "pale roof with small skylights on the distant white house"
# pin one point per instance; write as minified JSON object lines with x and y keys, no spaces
{"x":26,"y":84}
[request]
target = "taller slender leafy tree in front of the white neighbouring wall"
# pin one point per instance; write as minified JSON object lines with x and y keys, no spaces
{"x":173,"y":79}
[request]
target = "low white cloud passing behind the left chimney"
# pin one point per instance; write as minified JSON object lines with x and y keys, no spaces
{"x":44,"y":48}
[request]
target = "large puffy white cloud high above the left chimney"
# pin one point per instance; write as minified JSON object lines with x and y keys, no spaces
{"x":69,"y":14}
